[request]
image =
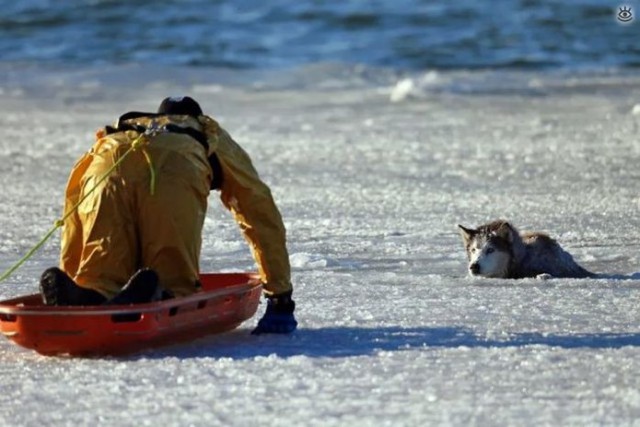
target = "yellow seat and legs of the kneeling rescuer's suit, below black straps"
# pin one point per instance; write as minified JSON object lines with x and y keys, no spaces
{"x":122,"y":227}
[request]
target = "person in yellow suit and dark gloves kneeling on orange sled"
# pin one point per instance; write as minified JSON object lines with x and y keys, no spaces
{"x":136,"y":235}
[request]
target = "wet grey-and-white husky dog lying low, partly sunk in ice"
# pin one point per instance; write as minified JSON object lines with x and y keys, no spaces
{"x":498,"y":250}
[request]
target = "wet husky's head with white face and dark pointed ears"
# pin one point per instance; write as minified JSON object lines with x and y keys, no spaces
{"x":489,"y":249}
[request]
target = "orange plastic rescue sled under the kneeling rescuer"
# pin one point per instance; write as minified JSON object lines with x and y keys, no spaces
{"x":226,"y":300}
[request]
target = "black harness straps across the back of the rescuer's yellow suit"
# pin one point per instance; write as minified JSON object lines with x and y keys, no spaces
{"x":200,"y":137}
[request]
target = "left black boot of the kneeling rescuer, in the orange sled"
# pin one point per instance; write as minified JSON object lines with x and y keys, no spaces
{"x":57,"y":288}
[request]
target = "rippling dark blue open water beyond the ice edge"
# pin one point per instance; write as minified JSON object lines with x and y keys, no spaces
{"x":259,"y":34}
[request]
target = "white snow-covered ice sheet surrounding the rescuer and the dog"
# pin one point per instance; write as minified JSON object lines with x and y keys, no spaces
{"x":372,"y":173}
